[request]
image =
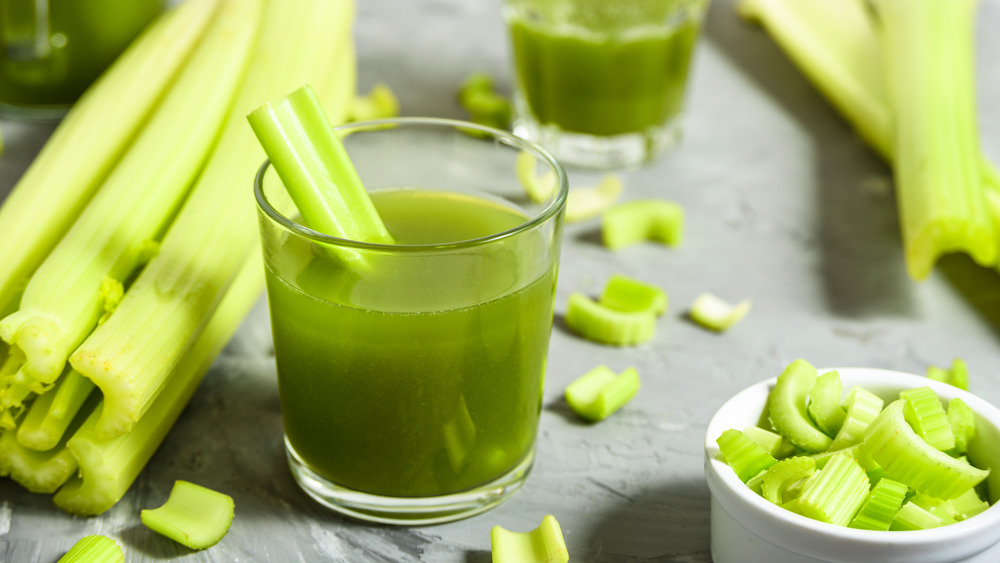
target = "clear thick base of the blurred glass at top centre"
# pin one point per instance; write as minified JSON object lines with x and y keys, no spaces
{"x":626,"y":151}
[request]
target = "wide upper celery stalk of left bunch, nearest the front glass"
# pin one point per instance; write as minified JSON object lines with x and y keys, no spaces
{"x":130,"y":356}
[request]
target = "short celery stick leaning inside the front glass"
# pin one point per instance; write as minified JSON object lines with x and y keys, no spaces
{"x":311,"y":161}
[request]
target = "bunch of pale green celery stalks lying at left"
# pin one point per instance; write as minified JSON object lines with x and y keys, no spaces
{"x":130,"y":243}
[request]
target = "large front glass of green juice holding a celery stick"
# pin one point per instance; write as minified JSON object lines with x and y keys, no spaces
{"x":411,"y":374}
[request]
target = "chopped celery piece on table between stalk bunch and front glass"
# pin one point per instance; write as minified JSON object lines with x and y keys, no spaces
{"x":194,"y":516}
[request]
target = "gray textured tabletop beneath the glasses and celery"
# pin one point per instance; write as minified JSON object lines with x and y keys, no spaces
{"x":784,"y":206}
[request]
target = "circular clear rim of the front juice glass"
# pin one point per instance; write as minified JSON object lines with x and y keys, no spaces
{"x":557,"y":203}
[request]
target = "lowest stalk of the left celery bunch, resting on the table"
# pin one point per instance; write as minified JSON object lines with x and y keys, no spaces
{"x":108,"y":467}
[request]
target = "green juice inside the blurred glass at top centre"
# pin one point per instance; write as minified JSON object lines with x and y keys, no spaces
{"x":617,"y":81}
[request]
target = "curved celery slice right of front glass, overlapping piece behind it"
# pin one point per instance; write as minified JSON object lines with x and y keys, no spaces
{"x":599,"y":323}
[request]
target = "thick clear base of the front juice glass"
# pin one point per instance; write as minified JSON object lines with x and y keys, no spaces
{"x":409,"y":511}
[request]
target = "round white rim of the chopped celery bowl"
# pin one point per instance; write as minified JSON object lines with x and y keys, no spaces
{"x":806,"y":535}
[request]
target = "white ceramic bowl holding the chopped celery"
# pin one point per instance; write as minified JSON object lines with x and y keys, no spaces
{"x":748,"y":529}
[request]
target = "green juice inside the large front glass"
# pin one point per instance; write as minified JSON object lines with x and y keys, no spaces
{"x":396,"y":382}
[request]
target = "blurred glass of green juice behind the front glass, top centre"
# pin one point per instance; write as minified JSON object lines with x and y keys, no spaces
{"x":602,"y":83}
